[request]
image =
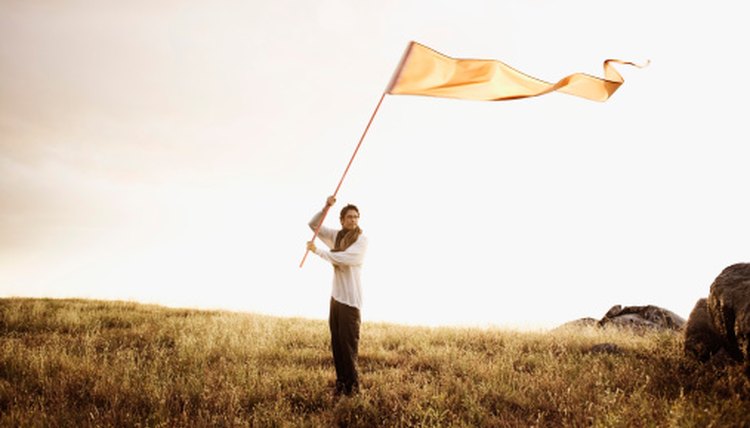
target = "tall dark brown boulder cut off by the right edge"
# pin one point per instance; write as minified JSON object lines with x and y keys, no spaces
{"x":729,"y":309}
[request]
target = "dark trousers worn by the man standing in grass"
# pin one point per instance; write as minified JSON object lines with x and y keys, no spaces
{"x":344,"y":322}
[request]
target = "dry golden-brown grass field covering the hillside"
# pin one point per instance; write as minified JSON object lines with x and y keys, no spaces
{"x":77,"y":363}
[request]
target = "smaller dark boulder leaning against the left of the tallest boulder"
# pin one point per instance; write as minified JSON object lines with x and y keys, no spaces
{"x":702,"y":340}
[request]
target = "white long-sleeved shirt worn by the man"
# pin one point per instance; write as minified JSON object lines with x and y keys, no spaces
{"x":347,"y":264}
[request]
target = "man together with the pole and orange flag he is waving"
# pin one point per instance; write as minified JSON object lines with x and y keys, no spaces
{"x":426,"y":72}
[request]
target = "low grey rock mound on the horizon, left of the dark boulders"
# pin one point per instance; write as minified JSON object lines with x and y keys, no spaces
{"x":652,"y":317}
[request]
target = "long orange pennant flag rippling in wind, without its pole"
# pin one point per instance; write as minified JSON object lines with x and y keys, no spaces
{"x":424,"y":71}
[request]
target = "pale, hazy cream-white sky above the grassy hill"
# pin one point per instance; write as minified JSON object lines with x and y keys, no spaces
{"x":172,"y":152}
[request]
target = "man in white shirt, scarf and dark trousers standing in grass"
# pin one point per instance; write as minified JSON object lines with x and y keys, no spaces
{"x":348,"y":247}
